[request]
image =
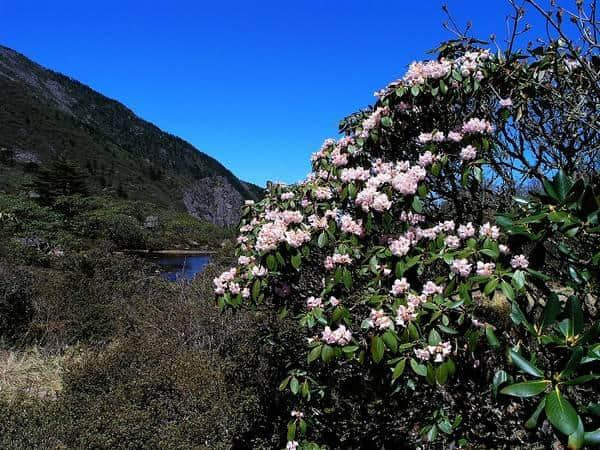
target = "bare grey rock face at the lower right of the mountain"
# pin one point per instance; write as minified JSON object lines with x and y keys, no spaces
{"x":215,"y":200}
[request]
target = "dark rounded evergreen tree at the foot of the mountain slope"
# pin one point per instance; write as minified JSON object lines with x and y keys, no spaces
{"x":60,"y":178}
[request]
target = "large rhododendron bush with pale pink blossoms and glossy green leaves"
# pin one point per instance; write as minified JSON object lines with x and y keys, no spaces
{"x":390,"y":260}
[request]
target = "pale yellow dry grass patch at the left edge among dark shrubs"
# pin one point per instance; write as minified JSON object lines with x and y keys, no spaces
{"x":33,"y":372}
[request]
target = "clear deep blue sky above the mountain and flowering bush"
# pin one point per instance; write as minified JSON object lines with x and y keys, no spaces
{"x":256,"y":84}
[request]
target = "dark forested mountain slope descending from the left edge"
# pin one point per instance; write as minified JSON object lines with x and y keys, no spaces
{"x":44,"y":113}
